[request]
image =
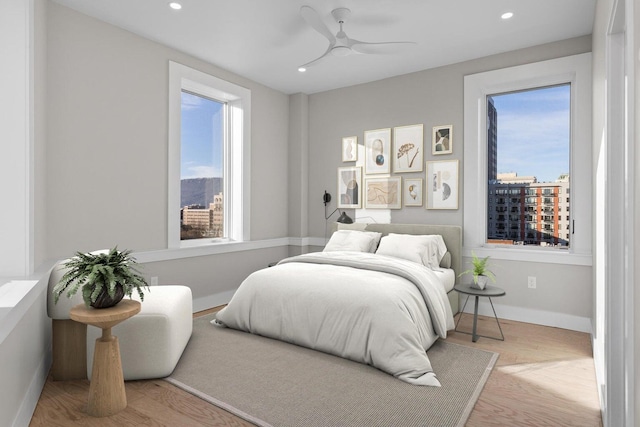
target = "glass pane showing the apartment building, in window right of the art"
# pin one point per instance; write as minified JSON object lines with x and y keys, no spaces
{"x":528,"y":159}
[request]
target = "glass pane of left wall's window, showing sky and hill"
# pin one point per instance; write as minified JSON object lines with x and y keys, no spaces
{"x":201,"y":167}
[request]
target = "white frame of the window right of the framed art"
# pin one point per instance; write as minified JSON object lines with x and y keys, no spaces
{"x":576,"y":70}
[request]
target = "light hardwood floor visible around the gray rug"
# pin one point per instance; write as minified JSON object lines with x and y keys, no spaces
{"x":544,"y":377}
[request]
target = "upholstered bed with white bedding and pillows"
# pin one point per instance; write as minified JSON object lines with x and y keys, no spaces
{"x":379,"y":294}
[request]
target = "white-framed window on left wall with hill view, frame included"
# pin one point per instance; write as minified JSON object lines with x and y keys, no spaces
{"x":209,"y":141}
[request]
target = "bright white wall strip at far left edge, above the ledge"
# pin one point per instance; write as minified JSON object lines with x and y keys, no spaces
{"x":16,"y":151}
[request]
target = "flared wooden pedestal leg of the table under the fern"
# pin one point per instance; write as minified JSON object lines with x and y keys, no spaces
{"x":106,"y":392}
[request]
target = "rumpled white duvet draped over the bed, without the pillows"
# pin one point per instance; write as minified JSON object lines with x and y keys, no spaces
{"x":373,"y":309}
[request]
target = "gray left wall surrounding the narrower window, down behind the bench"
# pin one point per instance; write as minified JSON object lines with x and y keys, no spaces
{"x":106,"y":152}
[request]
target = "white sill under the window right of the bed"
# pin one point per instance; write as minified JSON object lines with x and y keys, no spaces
{"x":520,"y":253}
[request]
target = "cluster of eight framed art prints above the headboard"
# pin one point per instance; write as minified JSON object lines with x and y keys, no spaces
{"x":390,"y":169}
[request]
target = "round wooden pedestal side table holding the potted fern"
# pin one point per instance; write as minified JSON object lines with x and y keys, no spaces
{"x":106,"y":391}
